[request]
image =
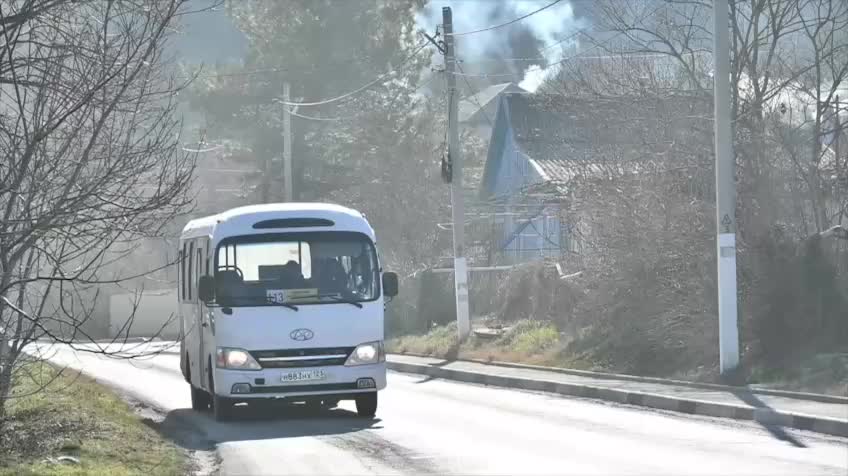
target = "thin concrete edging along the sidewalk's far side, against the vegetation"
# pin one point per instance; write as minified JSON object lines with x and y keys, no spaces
{"x":814,"y":397}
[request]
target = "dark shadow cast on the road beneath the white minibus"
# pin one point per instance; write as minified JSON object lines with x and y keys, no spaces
{"x":194,"y":430}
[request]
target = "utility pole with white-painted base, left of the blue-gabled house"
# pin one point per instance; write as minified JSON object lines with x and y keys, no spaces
{"x":460,"y":266}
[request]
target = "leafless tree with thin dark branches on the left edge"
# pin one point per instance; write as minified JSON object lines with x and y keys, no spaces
{"x":90,"y":161}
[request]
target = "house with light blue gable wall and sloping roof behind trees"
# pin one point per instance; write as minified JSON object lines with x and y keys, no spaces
{"x":540,"y":143}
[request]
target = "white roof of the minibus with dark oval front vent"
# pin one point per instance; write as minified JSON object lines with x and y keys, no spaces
{"x":241,"y":220}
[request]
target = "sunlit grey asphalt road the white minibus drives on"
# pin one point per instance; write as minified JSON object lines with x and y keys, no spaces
{"x":439,"y":427}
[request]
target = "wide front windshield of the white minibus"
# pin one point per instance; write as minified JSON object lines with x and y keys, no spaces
{"x":296,"y":268}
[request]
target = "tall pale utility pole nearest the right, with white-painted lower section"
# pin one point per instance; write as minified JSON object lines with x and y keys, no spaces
{"x":725,"y":196}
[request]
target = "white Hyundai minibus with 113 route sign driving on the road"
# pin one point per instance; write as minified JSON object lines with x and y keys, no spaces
{"x":282,"y":301}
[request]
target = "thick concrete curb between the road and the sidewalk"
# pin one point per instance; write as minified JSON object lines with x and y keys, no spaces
{"x":661,"y":402}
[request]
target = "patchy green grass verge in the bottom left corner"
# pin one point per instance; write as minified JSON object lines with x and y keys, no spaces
{"x":77,"y":417}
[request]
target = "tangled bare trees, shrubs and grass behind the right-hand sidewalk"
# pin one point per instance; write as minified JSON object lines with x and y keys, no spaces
{"x":636,"y":290}
